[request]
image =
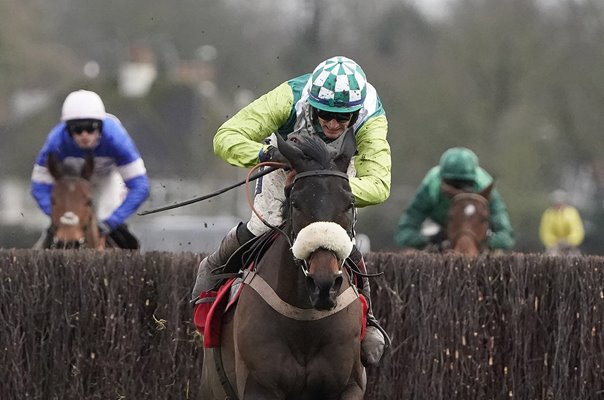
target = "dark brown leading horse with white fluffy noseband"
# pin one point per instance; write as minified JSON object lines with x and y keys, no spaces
{"x":295,"y":333}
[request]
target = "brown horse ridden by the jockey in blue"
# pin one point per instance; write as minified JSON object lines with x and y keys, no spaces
{"x":74,"y":223}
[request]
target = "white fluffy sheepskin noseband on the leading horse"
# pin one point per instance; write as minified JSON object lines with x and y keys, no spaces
{"x":326,"y":235}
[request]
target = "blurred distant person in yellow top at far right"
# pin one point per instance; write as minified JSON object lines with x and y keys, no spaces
{"x":561,"y":227}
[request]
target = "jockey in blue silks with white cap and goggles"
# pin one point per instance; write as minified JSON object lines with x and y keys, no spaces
{"x":119,"y":181}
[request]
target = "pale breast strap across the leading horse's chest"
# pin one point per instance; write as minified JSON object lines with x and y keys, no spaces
{"x":267,"y":293}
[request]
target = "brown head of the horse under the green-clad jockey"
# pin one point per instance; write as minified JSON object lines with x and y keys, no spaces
{"x":468,"y":221}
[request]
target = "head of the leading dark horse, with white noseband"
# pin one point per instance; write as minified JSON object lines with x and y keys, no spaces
{"x":319,"y":213}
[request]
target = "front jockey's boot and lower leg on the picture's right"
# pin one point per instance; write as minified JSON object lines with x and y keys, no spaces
{"x":376,"y":338}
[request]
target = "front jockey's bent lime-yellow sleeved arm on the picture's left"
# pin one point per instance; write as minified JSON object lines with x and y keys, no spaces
{"x":239,"y":140}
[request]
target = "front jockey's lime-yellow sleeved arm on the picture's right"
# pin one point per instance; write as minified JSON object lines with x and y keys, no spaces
{"x":373,"y":163}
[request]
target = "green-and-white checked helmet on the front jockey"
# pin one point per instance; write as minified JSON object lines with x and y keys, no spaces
{"x":338,"y":85}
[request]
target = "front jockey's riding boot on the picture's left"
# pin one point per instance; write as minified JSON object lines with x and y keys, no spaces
{"x":230,"y":243}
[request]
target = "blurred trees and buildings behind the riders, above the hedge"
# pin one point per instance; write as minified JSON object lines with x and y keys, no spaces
{"x":520,"y":82}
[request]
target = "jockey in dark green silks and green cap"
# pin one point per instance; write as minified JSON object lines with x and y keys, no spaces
{"x":459,"y":168}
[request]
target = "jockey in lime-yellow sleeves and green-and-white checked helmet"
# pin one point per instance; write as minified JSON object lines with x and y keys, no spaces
{"x":331,"y":100}
